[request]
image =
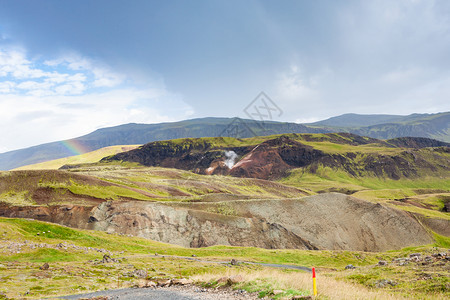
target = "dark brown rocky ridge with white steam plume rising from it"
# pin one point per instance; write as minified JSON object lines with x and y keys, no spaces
{"x":273,"y":157}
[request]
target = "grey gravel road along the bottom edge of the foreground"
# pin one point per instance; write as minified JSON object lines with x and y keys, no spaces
{"x":169,"y":293}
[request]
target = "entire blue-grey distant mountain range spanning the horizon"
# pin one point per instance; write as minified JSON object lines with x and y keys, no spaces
{"x":436,"y":126}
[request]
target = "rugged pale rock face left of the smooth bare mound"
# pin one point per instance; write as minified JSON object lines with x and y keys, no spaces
{"x":192,"y":228}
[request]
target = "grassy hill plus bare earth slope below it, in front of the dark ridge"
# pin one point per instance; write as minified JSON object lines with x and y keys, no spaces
{"x":194,"y":210}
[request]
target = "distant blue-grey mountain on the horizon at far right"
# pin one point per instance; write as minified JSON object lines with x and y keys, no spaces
{"x":435,"y":126}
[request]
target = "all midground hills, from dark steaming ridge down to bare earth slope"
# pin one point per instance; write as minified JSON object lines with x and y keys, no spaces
{"x":211,"y":191}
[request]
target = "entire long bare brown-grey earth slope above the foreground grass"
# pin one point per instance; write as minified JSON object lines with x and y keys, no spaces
{"x":326,"y":221}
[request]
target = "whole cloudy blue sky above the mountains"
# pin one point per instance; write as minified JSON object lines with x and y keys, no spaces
{"x":68,"y":68}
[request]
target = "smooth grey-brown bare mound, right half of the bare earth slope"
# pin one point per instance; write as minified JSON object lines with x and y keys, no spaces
{"x":337,"y":221}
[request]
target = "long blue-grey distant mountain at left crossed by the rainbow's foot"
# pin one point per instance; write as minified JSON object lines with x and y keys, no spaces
{"x":131,"y":134}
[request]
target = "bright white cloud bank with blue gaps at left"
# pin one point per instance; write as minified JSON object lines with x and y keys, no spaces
{"x":60,"y":99}
